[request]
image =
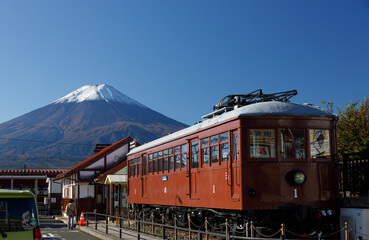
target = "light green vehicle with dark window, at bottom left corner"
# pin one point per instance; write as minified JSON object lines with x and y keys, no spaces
{"x":18,"y":216}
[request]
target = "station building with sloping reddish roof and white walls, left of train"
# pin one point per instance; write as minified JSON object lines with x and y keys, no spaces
{"x":78,"y":183}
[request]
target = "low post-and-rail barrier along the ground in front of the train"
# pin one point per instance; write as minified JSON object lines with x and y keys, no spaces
{"x":133,"y":226}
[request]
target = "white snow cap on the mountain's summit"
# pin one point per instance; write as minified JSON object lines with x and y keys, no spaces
{"x":100,"y":92}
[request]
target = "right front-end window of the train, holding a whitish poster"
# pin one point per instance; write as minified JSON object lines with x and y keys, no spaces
{"x":319,"y":143}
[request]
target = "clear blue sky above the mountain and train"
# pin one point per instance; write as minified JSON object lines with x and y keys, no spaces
{"x":180,"y":57}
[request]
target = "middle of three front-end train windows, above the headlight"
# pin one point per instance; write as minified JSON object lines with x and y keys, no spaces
{"x":293,"y":143}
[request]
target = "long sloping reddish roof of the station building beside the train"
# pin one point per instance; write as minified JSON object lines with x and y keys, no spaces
{"x":82,"y":165}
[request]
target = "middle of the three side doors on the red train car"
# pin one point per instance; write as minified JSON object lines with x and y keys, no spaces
{"x":194,"y":169}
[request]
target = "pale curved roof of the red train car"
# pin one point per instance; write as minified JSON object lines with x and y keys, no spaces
{"x":271,"y":108}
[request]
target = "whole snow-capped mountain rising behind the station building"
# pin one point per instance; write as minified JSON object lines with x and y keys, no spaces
{"x":63,"y":133}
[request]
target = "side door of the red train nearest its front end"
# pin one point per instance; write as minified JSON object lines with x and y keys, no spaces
{"x":235,"y":166}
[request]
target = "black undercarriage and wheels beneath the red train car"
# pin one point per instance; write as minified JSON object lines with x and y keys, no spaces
{"x":299,"y":221}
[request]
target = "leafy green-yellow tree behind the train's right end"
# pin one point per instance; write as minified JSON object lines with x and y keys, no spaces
{"x":353,"y":127}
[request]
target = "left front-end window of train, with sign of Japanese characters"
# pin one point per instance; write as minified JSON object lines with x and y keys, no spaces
{"x":262,"y":143}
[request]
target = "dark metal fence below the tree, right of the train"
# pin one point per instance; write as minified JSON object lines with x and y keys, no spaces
{"x":354,"y":175}
